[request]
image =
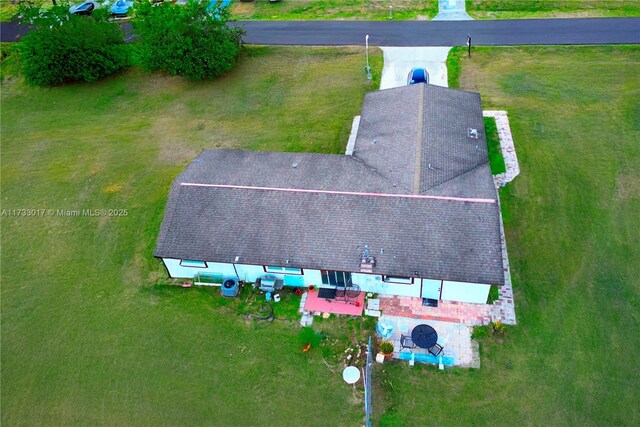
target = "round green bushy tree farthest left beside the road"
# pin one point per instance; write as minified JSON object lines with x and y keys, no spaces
{"x":64,"y":48}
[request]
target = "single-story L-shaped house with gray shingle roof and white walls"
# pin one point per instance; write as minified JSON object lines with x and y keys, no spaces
{"x":410,"y":210}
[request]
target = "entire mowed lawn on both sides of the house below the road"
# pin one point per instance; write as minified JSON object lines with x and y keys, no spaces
{"x":91,"y":335}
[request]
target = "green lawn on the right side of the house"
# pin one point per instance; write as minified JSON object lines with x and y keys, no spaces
{"x":571,"y":221}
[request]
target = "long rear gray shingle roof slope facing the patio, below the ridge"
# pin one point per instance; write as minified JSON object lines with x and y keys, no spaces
{"x":426,"y":238}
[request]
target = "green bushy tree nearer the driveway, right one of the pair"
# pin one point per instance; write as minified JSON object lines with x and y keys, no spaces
{"x":191,"y":40}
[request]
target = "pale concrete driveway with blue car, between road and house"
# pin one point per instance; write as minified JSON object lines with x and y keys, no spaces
{"x":398,"y":61}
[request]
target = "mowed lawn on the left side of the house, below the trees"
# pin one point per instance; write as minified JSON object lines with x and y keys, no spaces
{"x":90,"y":335}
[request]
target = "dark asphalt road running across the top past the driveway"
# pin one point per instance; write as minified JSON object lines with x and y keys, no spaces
{"x":428,"y":33}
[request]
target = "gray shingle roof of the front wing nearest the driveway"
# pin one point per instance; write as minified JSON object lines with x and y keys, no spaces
{"x":421,"y":135}
